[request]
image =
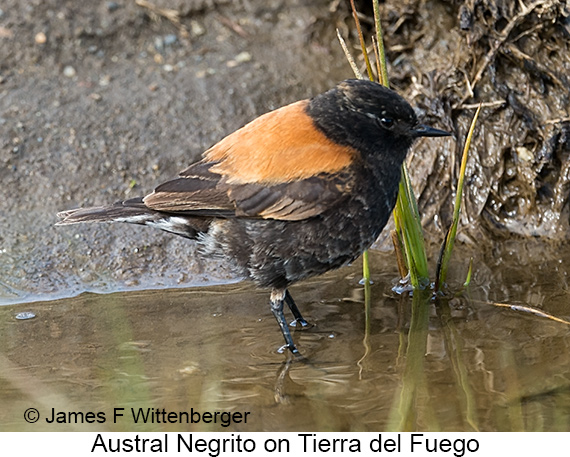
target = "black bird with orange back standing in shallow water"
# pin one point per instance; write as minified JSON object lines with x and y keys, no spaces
{"x":298,"y":191}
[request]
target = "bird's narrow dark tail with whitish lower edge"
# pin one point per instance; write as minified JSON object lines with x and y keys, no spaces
{"x":134,"y":211}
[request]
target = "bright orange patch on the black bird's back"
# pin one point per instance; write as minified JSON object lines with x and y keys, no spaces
{"x":280,"y":146}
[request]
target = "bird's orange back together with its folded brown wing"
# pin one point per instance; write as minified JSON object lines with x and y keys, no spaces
{"x":279,"y":166}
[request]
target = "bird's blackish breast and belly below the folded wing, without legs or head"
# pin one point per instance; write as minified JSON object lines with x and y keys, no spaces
{"x":277,"y":253}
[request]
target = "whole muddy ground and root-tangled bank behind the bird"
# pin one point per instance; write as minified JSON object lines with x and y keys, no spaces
{"x":100,"y":101}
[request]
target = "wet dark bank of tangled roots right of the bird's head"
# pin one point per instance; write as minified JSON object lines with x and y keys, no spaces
{"x":449,"y":56}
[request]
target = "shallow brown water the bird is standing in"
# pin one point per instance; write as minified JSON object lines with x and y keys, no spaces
{"x":403,"y":364}
